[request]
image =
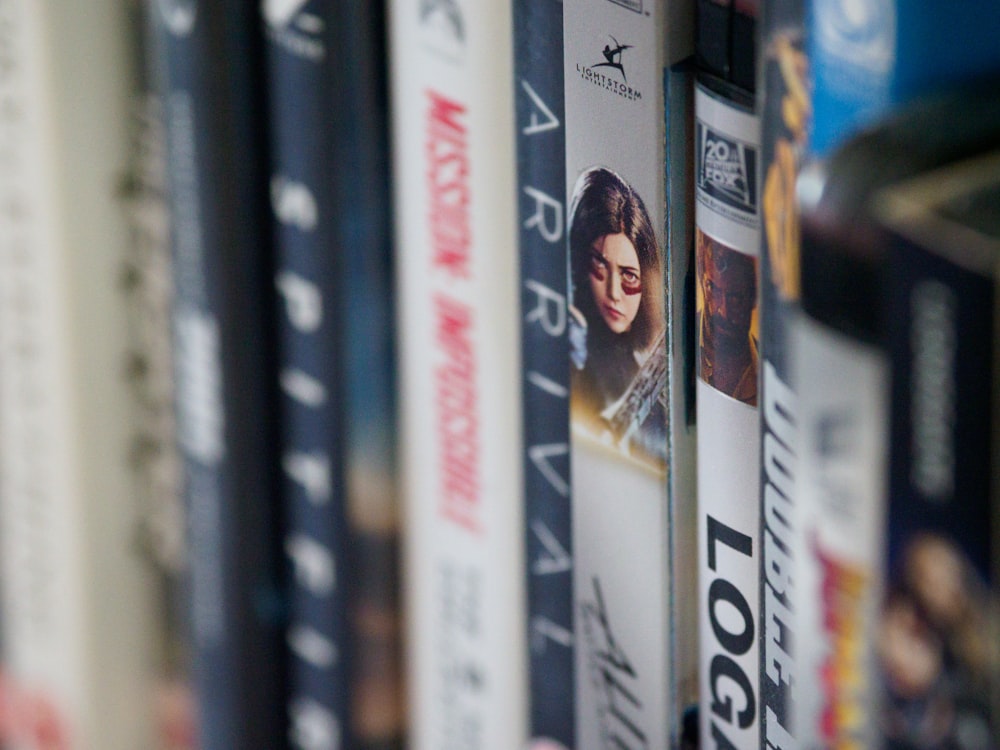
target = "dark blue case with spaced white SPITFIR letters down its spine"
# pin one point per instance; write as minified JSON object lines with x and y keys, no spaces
{"x":330,"y":199}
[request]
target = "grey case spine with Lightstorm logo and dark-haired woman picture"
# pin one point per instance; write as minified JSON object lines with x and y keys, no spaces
{"x":625,"y":126}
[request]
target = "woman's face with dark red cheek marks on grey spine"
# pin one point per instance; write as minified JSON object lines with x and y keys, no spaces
{"x":615,"y":280}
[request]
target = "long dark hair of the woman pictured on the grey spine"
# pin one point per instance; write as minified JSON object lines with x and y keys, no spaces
{"x":603,"y":203}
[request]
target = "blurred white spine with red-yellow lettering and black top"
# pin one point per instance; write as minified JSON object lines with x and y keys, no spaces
{"x":841,"y":373}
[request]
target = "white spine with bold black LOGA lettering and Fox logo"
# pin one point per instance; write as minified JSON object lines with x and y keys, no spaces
{"x":727,"y":218}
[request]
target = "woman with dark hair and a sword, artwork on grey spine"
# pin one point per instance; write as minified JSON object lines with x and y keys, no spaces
{"x":617,"y":335}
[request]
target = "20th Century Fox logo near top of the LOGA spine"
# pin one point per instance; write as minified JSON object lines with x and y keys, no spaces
{"x":727,"y":169}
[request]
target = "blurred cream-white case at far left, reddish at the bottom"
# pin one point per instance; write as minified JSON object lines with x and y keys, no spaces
{"x":77,"y":619}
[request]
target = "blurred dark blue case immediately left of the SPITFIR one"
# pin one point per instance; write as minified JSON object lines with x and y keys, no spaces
{"x":208,"y":58}
